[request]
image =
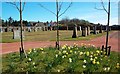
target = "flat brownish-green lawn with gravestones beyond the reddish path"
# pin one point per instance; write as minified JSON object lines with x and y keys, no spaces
{"x":46,"y":36}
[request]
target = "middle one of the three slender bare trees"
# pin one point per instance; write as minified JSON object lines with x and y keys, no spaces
{"x":58,"y":14}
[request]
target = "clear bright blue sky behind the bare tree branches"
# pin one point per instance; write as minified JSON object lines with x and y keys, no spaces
{"x":81,"y":10}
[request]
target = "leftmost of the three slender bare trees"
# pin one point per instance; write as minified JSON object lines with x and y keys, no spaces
{"x":20,"y":8}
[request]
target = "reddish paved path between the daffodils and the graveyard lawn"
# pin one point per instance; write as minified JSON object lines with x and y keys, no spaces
{"x":98,"y":42}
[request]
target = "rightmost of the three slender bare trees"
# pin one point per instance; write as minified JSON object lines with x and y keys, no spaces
{"x":108,"y":13}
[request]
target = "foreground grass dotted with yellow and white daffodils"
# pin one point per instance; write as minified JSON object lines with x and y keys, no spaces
{"x":68,"y":59}
